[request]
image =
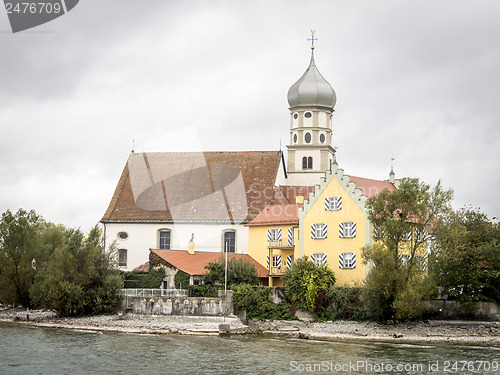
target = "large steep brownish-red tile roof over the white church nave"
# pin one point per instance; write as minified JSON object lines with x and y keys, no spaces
{"x":194,"y":187}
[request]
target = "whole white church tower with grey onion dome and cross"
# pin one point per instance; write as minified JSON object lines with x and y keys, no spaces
{"x":310,"y":152}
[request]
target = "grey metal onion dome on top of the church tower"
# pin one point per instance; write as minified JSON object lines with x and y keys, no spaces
{"x":312,"y":89}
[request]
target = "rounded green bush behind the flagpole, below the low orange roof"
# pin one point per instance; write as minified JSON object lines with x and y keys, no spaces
{"x":239,"y":271}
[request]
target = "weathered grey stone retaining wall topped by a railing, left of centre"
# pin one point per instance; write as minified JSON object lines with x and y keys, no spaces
{"x":186,"y":306}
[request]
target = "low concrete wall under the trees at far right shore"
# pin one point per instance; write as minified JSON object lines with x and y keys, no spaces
{"x":445,"y":309}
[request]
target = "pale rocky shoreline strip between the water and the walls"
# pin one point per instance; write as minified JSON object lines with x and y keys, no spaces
{"x":456,"y":332}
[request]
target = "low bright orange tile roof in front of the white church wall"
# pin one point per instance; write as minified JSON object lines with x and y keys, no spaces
{"x":194,"y":264}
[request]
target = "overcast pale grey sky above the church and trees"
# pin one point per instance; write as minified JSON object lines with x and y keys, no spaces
{"x":417,"y":80}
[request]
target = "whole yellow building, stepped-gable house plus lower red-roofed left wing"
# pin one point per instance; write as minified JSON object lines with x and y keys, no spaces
{"x":330,"y":227}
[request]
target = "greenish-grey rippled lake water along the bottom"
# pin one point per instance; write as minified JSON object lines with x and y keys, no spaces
{"x":26,"y":351}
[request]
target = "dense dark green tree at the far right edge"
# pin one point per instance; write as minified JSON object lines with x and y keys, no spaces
{"x":467,"y":250}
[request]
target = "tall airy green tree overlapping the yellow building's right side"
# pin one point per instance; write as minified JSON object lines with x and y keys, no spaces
{"x":401,"y":218}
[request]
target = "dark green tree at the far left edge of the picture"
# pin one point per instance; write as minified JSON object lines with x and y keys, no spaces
{"x":20,"y":244}
